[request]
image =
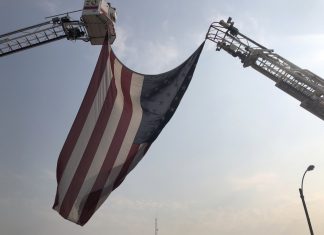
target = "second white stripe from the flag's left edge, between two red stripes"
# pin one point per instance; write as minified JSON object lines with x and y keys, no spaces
{"x":103,"y":146}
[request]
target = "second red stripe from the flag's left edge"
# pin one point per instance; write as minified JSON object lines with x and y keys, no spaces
{"x":90,"y":151}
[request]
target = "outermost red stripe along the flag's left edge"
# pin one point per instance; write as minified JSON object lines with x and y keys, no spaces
{"x":83,"y":112}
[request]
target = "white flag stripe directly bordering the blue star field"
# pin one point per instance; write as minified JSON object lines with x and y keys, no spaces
{"x":135,"y":92}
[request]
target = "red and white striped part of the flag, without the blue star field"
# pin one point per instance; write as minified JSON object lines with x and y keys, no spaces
{"x":99,"y":150}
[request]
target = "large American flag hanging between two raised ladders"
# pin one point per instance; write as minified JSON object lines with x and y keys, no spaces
{"x":122,"y":113}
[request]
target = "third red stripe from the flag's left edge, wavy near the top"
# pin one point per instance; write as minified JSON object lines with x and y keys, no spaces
{"x":114,"y":148}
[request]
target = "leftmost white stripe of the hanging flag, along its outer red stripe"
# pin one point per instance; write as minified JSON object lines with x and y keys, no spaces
{"x":84,"y":137}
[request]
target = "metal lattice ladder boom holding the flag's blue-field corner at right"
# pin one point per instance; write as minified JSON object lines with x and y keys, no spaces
{"x":302,"y":84}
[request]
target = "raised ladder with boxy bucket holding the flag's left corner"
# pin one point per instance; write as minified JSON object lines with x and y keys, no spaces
{"x":98,"y":18}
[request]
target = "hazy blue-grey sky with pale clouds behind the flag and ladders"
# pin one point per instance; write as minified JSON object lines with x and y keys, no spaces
{"x":229,"y":162}
